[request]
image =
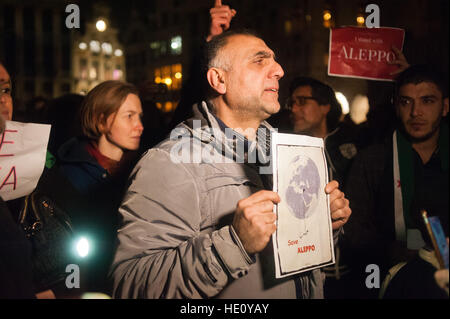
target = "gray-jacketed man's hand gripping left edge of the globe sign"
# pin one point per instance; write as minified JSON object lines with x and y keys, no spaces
{"x":254,"y":220}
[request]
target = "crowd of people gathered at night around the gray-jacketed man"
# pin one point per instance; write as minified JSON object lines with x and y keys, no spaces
{"x":171,"y":229}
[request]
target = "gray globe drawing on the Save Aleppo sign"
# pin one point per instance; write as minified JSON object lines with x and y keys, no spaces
{"x":302,"y":192}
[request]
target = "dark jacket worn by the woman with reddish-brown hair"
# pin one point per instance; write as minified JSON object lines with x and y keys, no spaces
{"x":102,"y":193}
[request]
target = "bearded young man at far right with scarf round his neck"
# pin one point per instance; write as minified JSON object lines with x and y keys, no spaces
{"x":388,"y":184}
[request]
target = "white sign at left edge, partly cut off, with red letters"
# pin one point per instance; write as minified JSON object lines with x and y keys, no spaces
{"x":23,"y":148}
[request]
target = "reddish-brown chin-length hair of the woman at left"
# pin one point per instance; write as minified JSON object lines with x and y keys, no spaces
{"x":102,"y":101}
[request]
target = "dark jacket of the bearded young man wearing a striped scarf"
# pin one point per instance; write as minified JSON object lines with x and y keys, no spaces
{"x":370,"y":232}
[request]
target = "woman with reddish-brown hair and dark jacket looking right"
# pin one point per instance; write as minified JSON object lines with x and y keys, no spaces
{"x":98,"y":163}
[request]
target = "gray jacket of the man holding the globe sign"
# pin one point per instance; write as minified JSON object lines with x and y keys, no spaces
{"x":175,"y":238}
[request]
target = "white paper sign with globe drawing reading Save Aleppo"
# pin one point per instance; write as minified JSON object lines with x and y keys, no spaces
{"x":304,"y":237}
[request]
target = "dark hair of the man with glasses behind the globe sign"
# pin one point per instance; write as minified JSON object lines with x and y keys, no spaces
{"x":324,"y":95}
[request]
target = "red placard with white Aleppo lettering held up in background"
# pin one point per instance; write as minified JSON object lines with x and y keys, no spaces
{"x":357,"y":52}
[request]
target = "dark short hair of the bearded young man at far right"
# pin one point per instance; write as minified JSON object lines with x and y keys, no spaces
{"x":416,"y":74}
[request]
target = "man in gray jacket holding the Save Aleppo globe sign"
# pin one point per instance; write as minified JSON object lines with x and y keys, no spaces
{"x":202,"y":229}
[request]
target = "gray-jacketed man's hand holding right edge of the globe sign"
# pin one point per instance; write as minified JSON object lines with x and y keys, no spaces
{"x":339,"y":205}
